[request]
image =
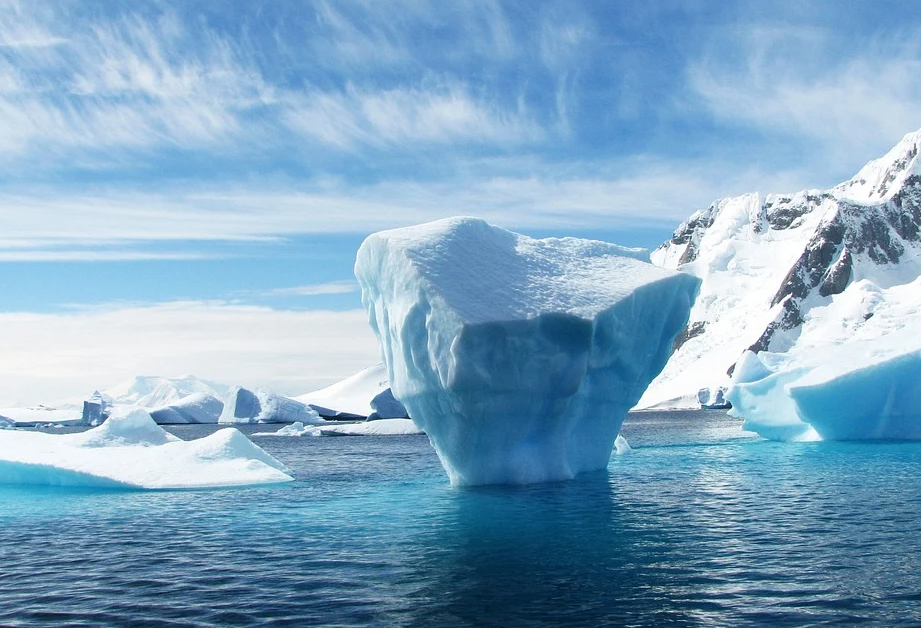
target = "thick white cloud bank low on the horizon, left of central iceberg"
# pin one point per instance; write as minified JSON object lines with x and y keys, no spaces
{"x":49,"y":357}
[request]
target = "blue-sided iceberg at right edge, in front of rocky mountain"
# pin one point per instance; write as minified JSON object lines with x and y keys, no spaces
{"x":857,"y":378}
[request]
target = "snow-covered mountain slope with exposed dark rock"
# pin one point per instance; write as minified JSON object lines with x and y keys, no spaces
{"x":785,"y":272}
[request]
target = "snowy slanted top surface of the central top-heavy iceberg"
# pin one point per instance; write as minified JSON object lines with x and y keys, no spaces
{"x":527,"y":277}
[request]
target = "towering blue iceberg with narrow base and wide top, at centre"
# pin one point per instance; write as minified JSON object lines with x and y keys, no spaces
{"x":518,"y":357}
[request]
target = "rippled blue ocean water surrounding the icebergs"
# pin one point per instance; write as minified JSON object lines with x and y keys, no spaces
{"x":702,"y":525}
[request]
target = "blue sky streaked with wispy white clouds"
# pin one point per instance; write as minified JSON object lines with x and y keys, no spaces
{"x":184,"y":183}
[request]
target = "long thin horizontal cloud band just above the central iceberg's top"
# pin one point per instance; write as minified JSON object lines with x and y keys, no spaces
{"x":643,"y":192}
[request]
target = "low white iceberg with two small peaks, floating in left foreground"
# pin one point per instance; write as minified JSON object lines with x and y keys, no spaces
{"x":131,"y":451}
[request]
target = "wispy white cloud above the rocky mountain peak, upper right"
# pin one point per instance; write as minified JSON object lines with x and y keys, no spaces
{"x":787,"y":82}
